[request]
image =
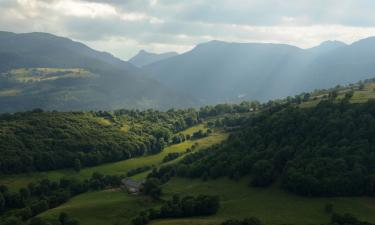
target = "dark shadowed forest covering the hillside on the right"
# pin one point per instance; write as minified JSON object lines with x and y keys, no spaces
{"x":327,"y":150}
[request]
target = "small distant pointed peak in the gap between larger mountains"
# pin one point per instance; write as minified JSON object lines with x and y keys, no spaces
{"x":144,"y":58}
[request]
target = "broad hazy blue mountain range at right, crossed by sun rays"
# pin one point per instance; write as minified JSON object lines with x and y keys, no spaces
{"x":220,"y":71}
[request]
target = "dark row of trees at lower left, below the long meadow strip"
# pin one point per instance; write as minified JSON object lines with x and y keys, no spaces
{"x":41,"y":196}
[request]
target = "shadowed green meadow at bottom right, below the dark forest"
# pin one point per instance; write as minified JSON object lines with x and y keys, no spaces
{"x":271,"y":205}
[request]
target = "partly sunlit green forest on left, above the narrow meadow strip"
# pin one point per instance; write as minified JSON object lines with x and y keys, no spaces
{"x":42,"y":141}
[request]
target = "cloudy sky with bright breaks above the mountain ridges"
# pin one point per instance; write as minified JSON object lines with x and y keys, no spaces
{"x":123,"y":27}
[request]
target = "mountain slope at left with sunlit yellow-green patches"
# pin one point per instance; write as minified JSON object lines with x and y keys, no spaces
{"x":50,"y":72}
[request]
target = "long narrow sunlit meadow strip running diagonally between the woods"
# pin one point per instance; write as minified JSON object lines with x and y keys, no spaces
{"x":15,"y":182}
